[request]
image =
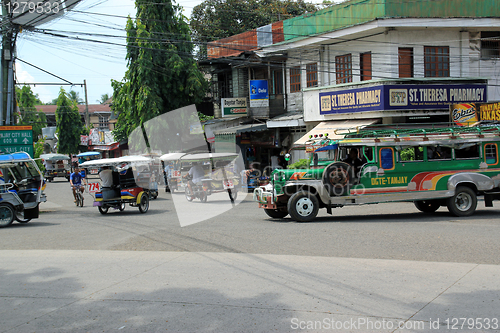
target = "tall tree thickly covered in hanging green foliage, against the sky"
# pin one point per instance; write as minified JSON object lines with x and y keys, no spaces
{"x":162,"y":74}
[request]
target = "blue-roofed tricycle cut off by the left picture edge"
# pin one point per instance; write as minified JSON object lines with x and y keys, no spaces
{"x":21,"y":188}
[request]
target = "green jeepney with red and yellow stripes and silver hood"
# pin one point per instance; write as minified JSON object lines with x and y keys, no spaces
{"x":448,"y":166}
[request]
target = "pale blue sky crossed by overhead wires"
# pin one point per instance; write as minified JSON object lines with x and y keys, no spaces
{"x":78,"y":60}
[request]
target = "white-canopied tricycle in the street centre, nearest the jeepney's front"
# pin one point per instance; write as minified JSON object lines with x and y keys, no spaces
{"x":220,"y":175}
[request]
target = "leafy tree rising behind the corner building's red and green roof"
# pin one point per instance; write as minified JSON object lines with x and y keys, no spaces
{"x":216,"y":19}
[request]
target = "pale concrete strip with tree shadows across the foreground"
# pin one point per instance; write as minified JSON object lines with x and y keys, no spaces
{"x":77,"y":291}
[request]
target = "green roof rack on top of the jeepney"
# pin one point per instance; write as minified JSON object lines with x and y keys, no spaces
{"x":424,"y":130}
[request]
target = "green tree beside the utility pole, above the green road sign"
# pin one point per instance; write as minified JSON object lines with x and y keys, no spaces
{"x":27,"y":112}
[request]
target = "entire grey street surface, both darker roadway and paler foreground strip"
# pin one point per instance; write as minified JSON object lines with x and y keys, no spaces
{"x":74,"y":270}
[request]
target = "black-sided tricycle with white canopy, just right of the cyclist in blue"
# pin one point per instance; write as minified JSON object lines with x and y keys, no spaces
{"x":131,"y":182}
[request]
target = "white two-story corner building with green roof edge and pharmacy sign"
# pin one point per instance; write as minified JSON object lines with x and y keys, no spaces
{"x":353,"y":64}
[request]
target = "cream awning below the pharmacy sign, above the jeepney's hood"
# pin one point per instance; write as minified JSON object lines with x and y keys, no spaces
{"x":331,"y":126}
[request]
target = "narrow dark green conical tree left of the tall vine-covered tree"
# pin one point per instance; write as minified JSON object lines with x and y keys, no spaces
{"x":69,"y":124}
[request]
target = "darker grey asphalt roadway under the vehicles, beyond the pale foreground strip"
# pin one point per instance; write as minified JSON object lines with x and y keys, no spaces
{"x":383,"y":231}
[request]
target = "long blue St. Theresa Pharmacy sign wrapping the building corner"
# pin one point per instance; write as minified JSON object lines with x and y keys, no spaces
{"x":401,"y":97}
